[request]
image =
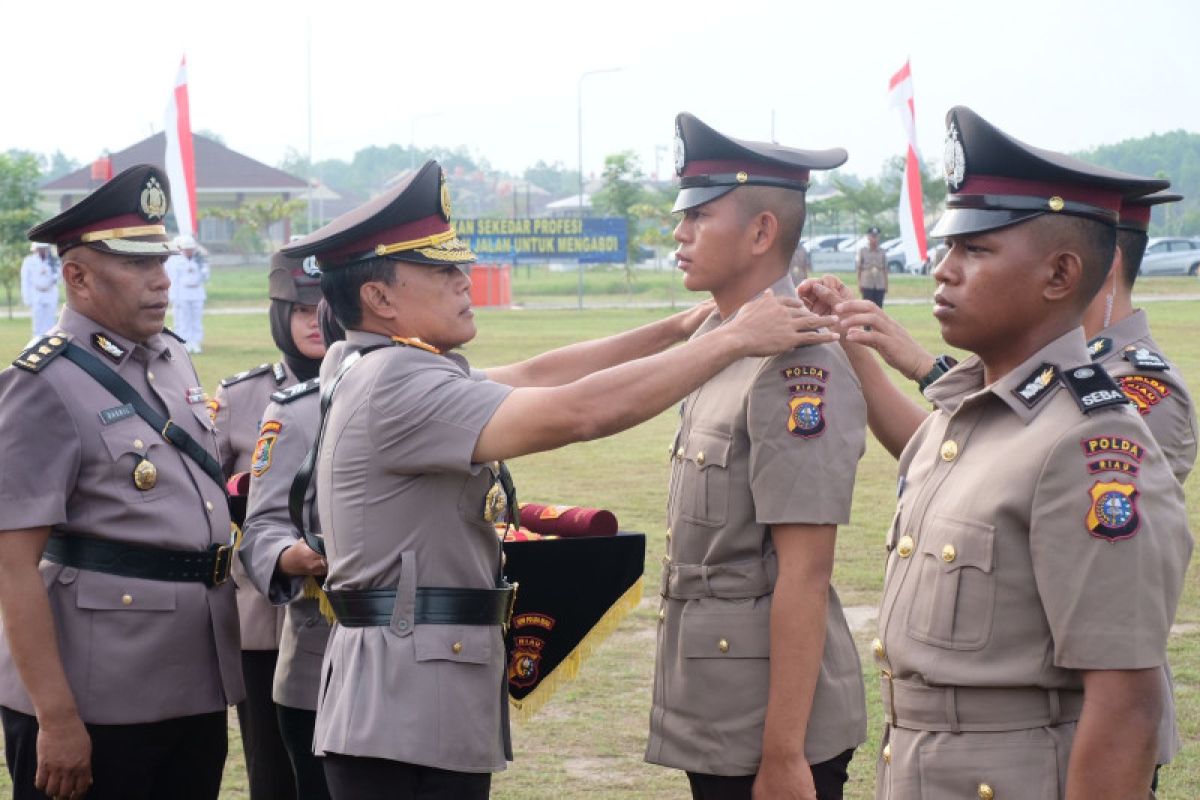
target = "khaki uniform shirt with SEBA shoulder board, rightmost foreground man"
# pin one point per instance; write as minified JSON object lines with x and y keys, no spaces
{"x":1031,"y":543}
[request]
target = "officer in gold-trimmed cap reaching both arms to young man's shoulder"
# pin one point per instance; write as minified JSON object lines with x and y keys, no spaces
{"x":409,"y":484}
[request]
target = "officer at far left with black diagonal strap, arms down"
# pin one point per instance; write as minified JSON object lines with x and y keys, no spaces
{"x":121,"y":643}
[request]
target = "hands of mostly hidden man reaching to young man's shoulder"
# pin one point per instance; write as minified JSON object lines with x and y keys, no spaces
{"x":861,"y":322}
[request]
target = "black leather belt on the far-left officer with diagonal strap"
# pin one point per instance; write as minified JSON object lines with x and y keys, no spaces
{"x":211,"y":567}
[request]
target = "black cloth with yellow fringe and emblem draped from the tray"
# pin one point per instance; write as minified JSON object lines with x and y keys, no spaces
{"x":573,"y":594}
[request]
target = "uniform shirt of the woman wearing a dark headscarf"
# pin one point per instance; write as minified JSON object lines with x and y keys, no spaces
{"x":237,"y":411}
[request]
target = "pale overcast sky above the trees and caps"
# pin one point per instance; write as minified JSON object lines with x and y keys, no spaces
{"x":502,"y":79}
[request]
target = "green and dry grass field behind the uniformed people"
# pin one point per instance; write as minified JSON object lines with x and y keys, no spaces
{"x":589,"y":742}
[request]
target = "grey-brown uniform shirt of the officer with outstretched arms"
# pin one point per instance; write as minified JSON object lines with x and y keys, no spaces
{"x":401,"y":507}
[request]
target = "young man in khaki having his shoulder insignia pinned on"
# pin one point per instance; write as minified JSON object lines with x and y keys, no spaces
{"x":758,"y":683}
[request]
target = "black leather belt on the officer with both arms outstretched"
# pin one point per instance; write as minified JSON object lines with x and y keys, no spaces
{"x":435,"y":606}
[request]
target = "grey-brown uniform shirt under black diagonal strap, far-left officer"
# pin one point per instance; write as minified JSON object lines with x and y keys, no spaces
{"x":135,"y":651}
